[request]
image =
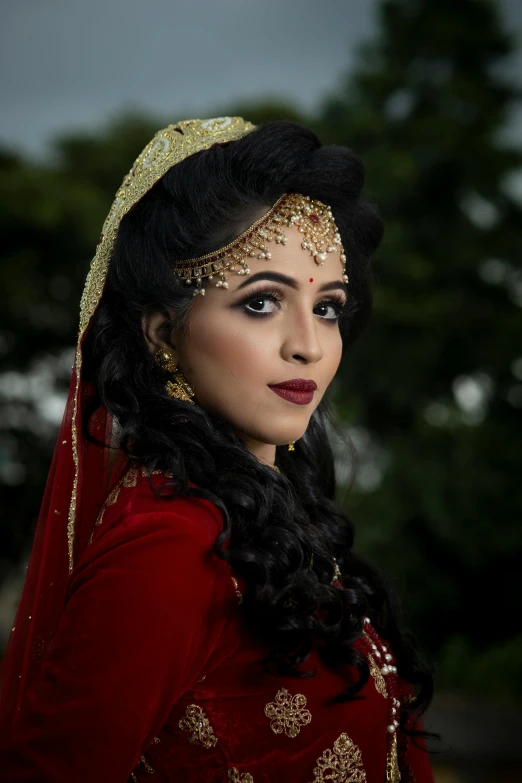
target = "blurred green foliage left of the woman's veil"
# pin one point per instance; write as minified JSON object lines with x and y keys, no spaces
{"x":50,"y":218}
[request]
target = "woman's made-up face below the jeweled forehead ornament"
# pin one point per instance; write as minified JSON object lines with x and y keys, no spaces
{"x":277,"y":324}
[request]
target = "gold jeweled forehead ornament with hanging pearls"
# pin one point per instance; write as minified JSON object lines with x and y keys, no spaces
{"x":312,"y":218}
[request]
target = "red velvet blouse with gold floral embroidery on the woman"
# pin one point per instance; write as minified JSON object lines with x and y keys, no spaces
{"x":151,"y":672}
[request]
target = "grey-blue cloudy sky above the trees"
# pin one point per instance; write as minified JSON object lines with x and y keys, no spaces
{"x":68,"y":64}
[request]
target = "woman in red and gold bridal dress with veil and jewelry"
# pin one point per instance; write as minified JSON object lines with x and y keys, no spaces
{"x":193,"y":607}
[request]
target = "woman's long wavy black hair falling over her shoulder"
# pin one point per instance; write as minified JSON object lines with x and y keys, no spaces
{"x":273,"y":522}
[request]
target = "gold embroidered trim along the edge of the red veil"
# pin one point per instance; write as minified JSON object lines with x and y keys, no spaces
{"x":169,"y":146}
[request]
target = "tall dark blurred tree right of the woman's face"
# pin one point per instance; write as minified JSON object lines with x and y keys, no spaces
{"x":435,"y":386}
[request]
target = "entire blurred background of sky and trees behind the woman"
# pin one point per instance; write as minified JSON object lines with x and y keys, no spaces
{"x":428,"y":93}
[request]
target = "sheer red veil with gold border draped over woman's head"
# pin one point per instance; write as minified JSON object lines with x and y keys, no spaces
{"x":82,"y":473}
